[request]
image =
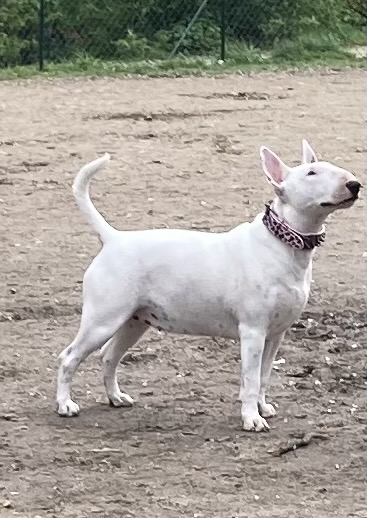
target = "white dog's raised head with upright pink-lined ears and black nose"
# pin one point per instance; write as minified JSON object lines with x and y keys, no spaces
{"x":314,"y":189}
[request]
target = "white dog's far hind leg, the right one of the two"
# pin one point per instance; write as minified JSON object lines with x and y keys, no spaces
{"x":111,"y":354}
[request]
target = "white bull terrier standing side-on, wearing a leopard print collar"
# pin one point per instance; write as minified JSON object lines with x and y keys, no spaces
{"x":251,"y":282}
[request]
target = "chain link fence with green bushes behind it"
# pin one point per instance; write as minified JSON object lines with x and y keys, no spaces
{"x":53,"y":31}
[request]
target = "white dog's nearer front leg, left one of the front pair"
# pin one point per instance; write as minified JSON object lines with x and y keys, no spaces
{"x":252,"y":347}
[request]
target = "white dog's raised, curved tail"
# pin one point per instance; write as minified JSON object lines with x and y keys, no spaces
{"x":81,"y":193}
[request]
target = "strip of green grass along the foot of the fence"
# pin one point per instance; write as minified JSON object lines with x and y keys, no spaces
{"x":305,"y":53}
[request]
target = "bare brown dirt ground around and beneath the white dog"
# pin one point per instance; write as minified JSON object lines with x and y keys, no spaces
{"x":185,"y":155}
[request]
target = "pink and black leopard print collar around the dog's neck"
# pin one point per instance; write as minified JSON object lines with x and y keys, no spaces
{"x":288,"y":235}
